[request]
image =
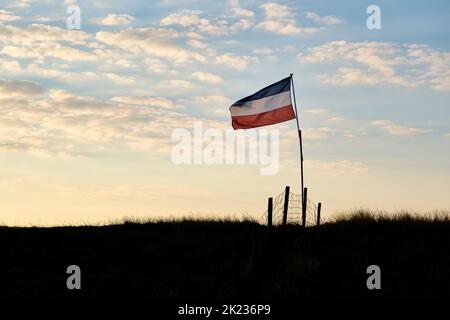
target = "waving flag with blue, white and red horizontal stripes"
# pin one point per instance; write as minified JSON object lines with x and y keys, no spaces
{"x":268,"y":106}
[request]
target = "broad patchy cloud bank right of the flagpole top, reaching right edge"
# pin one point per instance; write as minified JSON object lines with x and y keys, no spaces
{"x":376,"y":63}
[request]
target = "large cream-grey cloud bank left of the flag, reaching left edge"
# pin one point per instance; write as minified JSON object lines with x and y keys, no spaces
{"x":57,"y":122}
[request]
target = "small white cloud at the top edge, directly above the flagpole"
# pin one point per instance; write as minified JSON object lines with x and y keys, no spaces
{"x":279,"y":19}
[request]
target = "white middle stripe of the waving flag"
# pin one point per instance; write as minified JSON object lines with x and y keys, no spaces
{"x":262,"y":105}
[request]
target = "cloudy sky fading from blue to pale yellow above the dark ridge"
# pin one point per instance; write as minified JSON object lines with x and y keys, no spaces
{"x":87,"y":115}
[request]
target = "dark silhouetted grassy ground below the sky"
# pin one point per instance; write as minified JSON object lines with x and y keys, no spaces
{"x":222,"y":259}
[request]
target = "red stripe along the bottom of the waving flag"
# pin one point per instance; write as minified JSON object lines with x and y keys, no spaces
{"x":263,"y":119}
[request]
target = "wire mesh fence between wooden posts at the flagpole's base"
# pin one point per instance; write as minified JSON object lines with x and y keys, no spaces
{"x":294,"y":214}
